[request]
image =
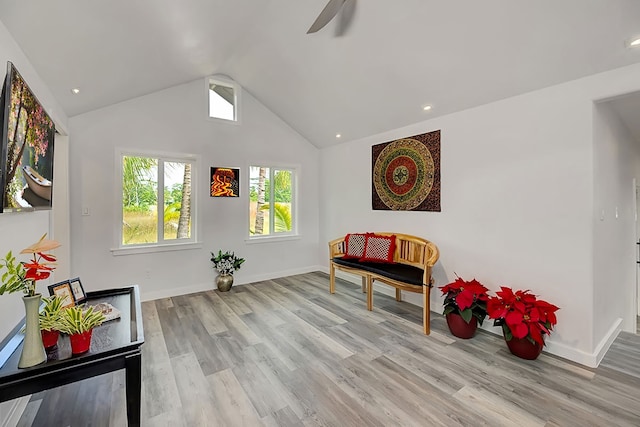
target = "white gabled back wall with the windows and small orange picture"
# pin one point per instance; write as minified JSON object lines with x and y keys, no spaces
{"x":174,"y":120}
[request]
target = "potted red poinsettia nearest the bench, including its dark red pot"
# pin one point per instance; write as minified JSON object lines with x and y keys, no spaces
{"x":465,"y":305}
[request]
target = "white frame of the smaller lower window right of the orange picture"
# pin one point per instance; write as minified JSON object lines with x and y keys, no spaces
{"x":272,"y":236}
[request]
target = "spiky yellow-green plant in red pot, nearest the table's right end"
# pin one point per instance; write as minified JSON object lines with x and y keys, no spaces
{"x":78,"y":322}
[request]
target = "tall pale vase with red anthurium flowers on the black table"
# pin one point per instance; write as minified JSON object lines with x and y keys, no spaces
{"x":22,"y":277}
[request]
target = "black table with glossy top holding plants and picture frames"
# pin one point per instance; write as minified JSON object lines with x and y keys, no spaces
{"x":114,"y":345}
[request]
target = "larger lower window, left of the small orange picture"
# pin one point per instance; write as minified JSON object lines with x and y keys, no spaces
{"x":157,"y":200}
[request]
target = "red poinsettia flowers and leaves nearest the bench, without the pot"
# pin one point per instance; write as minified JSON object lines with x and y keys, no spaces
{"x":466,"y":298}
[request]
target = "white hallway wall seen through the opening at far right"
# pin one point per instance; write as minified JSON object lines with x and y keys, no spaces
{"x":617,"y":156}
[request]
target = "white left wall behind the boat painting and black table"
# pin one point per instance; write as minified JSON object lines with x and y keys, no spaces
{"x":19,"y":230}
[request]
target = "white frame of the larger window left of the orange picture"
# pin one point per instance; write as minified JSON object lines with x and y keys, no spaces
{"x":162,"y":245}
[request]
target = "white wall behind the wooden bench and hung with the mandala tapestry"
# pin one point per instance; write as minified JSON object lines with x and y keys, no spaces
{"x":517,"y":200}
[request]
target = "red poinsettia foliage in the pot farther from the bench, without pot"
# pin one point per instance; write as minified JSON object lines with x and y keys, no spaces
{"x":522,"y":315}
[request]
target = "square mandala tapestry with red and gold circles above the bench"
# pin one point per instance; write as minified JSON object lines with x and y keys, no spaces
{"x":406,"y":174}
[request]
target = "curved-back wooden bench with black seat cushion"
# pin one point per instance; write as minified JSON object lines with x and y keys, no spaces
{"x":413,"y":258}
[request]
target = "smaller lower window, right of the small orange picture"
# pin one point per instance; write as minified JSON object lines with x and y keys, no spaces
{"x":271,"y":215}
